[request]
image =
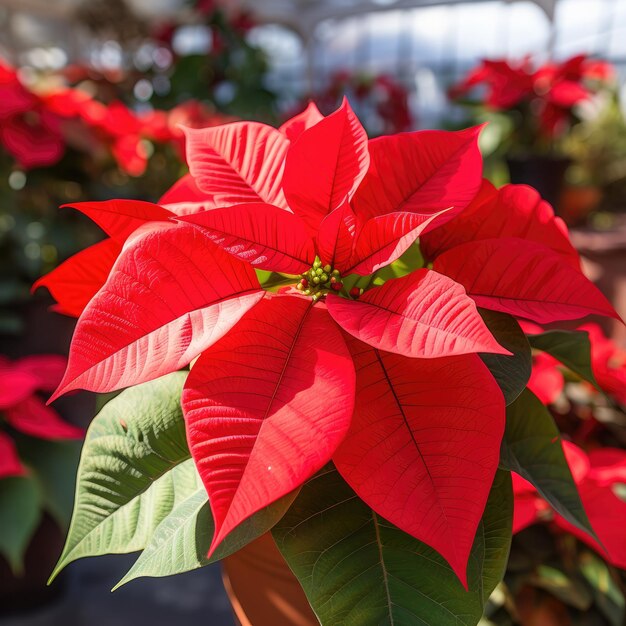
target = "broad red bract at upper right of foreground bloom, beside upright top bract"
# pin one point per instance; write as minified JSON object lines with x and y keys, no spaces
{"x":422,"y":172}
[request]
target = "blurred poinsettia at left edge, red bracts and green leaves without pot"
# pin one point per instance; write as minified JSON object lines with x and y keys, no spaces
{"x":36,"y":453}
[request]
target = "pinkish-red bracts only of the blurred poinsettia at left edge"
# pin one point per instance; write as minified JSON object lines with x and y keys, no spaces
{"x":24,"y":410}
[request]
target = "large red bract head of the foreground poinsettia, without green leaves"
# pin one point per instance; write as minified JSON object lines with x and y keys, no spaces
{"x":387,"y":383}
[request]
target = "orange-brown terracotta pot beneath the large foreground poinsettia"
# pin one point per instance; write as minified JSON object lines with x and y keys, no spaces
{"x":263,"y":590}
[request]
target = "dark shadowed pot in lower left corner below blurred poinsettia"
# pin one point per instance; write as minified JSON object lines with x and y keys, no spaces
{"x":30,"y":590}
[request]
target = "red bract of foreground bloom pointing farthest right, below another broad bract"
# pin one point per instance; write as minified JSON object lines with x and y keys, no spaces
{"x":524,"y":279}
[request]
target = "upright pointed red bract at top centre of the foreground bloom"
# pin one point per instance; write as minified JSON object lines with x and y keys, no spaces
{"x":326,"y":165}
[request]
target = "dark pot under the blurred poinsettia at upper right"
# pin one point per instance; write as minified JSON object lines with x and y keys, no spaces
{"x":546,"y":174}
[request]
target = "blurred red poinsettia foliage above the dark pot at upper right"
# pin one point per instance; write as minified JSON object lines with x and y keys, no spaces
{"x":539,"y":102}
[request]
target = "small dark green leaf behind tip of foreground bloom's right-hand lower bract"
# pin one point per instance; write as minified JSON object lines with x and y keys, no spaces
{"x":511,"y":372}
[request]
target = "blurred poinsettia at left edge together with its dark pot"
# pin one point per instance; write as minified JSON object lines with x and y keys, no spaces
{"x":38,"y":459}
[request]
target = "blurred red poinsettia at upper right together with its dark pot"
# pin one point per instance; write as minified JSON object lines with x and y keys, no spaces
{"x":542,"y":106}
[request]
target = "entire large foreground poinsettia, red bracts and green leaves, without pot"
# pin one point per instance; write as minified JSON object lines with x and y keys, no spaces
{"x":357,"y":383}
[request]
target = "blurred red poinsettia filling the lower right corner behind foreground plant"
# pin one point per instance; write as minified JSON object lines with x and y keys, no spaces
{"x":556,"y":572}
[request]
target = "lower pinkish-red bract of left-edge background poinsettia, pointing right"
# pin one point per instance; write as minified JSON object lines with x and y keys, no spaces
{"x":32,"y":417}
